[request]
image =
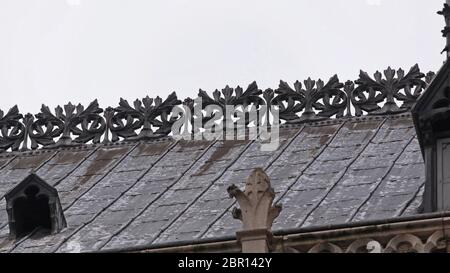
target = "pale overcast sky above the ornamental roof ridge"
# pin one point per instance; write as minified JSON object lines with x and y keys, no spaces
{"x":56,"y":51}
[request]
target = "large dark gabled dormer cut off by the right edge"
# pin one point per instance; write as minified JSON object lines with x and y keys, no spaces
{"x":432,"y":120}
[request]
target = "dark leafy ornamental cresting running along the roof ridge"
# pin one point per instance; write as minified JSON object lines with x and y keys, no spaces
{"x":395,"y":92}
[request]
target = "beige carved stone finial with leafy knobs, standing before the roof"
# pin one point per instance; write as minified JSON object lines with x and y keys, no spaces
{"x":256,"y":212}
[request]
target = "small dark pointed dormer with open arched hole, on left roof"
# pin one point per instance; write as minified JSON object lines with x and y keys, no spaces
{"x":33,"y":206}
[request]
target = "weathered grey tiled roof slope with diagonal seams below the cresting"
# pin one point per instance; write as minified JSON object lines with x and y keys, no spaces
{"x":132,"y":194}
